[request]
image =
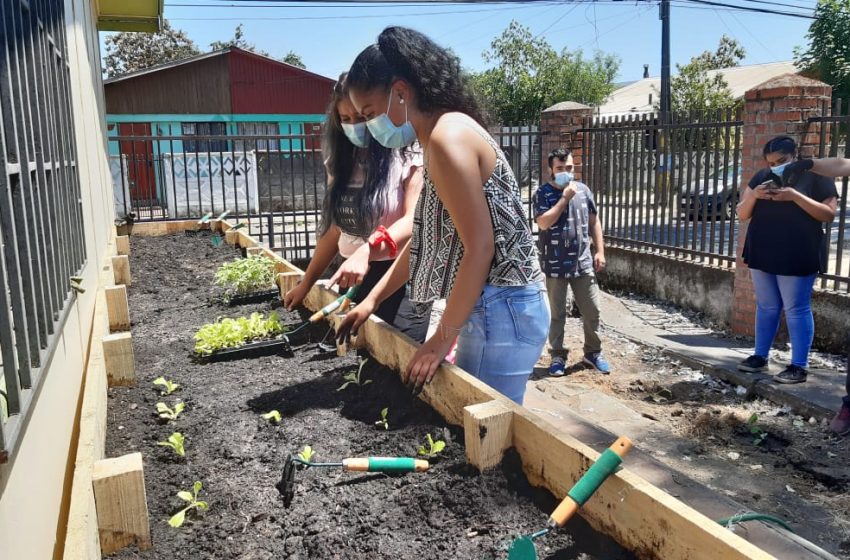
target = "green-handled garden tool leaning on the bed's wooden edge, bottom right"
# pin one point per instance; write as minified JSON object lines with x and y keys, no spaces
{"x":523,"y":548}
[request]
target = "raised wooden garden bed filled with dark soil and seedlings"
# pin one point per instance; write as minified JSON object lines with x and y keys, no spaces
{"x":452,"y":511}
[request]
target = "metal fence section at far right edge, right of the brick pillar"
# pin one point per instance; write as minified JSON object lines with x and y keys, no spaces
{"x":834,"y":141}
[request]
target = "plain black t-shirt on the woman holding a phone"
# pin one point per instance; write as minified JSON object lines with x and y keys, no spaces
{"x":782,"y":238}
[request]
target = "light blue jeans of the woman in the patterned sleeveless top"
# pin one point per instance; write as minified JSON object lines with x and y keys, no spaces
{"x":503,"y":337}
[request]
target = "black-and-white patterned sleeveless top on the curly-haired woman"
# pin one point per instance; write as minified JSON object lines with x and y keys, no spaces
{"x":436,"y":247}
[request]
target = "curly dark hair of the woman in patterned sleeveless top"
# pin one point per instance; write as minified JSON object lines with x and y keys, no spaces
{"x":432,"y":71}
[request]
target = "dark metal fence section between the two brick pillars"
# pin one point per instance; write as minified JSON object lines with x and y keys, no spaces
{"x":667,"y":187}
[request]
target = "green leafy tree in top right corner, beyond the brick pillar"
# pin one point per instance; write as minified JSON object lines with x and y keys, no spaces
{"x":827,"y":56}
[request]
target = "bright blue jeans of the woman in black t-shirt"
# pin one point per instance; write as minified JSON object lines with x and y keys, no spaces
{"x":793,"y":294}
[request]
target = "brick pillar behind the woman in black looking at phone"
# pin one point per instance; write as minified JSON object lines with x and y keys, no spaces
{"x":779,"y":106}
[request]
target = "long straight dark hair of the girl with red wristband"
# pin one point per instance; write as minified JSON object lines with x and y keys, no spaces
{"x":340,"y":157}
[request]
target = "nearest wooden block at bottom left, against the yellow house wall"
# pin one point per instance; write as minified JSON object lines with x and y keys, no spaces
{"x":122,"y":509}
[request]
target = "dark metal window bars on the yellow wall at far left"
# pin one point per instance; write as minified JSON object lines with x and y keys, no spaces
{"x":41,"y":225}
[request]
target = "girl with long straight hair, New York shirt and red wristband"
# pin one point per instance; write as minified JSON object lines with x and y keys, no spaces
{"x":367,"y":215}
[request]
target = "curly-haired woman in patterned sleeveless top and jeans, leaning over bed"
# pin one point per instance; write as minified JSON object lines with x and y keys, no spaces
{"x":471,"y":242}
